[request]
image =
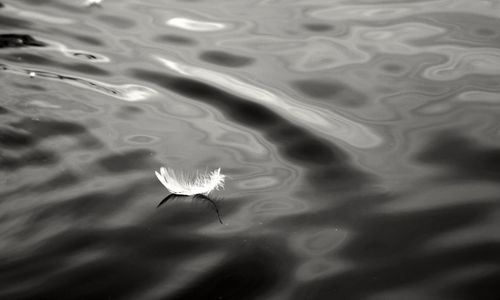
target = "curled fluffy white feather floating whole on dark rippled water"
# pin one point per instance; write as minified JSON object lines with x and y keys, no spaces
{"x":189,"y":185}
